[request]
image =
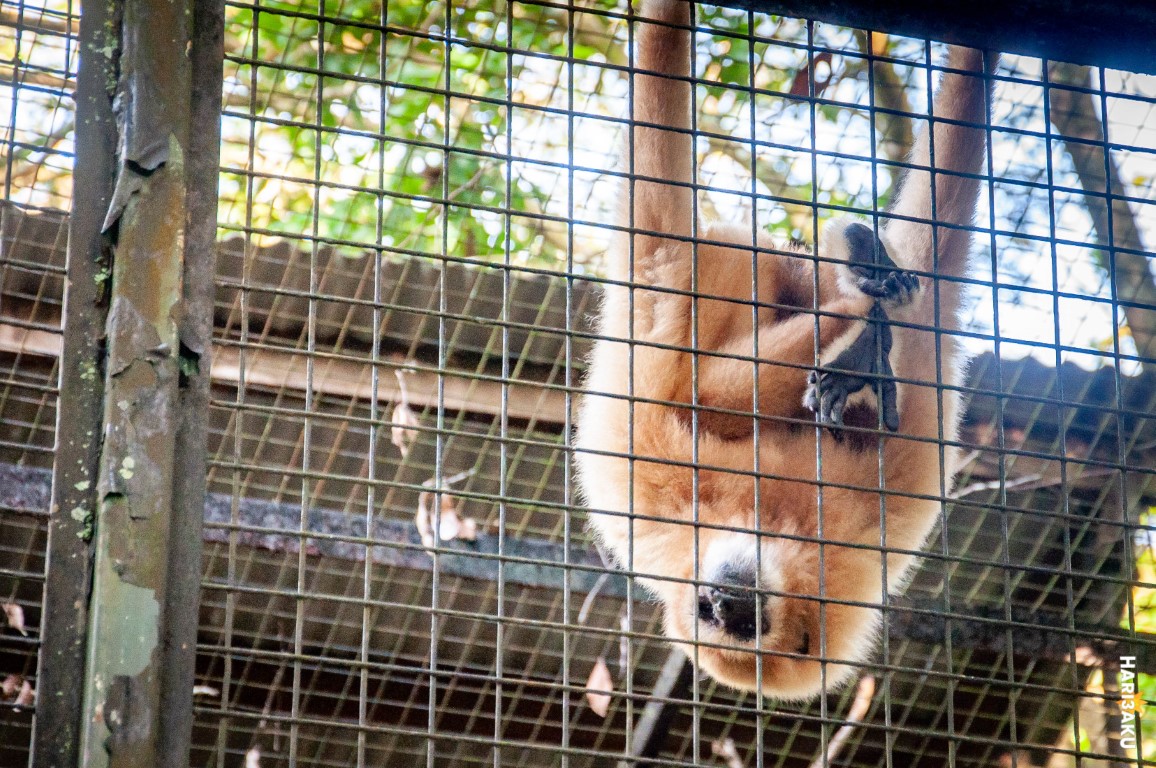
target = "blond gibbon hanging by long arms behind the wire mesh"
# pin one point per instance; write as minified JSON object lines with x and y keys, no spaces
{"x":751,"y":490}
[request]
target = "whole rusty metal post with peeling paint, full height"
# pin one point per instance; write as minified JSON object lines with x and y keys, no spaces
{"x":129,"y":498}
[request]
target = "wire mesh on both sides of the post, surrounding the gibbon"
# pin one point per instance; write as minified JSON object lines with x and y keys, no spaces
{"x":414,"y":235}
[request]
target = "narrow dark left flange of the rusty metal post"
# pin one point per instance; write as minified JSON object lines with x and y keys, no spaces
{"x":56,"y":730}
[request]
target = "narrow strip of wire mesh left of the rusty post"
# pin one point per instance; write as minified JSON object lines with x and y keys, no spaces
{"x":38,"y":72}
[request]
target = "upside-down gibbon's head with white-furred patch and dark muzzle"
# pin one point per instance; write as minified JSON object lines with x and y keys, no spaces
{"x":720,"y":617}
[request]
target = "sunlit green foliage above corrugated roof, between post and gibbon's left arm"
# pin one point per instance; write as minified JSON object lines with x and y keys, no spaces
{"x":391,"y":138}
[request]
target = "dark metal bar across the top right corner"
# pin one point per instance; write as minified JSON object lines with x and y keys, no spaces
{"x":1100,"y":33}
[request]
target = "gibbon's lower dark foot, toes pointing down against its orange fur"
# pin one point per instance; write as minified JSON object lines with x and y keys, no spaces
{"x":865,"y":363}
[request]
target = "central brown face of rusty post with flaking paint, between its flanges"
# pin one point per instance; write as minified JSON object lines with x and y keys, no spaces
{"x":123,"y":685}
